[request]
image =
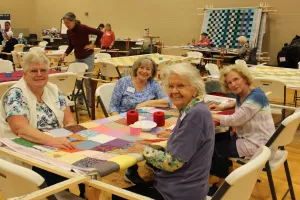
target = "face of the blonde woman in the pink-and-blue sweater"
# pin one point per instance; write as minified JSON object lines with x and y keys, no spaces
{"x":236,"y":83}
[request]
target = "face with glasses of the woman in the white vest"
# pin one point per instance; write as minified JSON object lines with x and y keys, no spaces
{"x":37,"y":76}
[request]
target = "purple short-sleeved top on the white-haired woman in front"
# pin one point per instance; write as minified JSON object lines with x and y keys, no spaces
{"x":192,"y":141}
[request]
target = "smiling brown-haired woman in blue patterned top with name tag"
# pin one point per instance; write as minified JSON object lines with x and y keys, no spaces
{"x":138,"y":90}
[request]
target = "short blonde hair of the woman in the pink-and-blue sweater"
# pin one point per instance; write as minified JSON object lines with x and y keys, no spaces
{"x":241,"y":70}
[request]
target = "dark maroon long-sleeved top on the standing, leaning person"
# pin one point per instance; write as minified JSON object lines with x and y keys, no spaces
{"x":79,"y":37}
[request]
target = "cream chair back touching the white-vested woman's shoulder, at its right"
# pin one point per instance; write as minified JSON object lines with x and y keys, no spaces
{"x":64,"y":81}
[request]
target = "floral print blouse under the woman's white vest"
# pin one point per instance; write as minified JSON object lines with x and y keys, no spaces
{"x":15,"y":103}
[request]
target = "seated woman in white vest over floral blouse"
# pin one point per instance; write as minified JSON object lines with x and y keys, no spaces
{"x":33,"y":105}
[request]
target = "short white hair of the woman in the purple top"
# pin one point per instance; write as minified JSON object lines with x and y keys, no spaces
{"x":187,"y":70}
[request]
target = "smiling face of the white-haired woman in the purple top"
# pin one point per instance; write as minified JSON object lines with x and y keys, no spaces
{"x":180,"y":91}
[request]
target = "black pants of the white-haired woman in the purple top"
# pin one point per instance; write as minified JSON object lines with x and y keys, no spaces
{"x":146,"y":189}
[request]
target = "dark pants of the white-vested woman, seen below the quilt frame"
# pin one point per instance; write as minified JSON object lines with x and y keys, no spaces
{"x":52,"y":179}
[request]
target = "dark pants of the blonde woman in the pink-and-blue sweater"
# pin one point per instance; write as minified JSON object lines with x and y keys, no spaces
{"x":225,"y":147}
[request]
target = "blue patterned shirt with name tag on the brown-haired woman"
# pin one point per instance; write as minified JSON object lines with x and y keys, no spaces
{"x":125,"y":97}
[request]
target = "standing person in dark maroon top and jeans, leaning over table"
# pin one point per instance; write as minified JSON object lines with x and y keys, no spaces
{"x":78,"y":36}
